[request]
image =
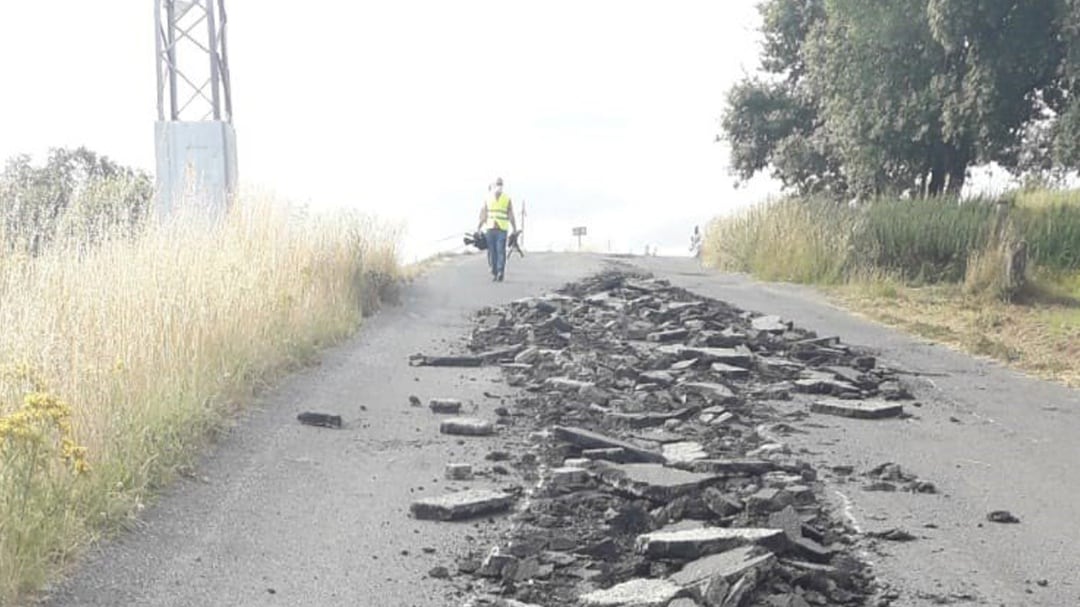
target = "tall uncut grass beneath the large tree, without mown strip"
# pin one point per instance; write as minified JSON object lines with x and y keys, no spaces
{"x":916,"y":241}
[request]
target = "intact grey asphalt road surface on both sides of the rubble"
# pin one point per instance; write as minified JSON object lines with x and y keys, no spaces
{"x":287,"y":515}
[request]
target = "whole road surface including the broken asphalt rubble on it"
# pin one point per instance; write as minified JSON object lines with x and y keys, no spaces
{"x":610,"y":433}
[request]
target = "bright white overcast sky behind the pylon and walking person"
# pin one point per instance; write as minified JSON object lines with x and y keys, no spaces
{"x":597,"y":113}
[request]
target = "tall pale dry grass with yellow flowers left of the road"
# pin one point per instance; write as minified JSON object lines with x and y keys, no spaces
{"x":118,"y":362}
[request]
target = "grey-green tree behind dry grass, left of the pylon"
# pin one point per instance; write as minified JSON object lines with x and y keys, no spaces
{"x":77,"y":196}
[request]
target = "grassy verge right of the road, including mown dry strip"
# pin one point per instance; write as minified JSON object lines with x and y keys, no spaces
{"x":934,"y":268}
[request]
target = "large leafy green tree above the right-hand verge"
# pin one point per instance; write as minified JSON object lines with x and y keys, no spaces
{"x":899,"y":97}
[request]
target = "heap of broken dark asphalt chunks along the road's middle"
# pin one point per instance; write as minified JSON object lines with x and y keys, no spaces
{"x":657,"y":473}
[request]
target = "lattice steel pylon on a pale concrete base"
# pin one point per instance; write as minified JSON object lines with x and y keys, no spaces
{"x":196,"y":142}
